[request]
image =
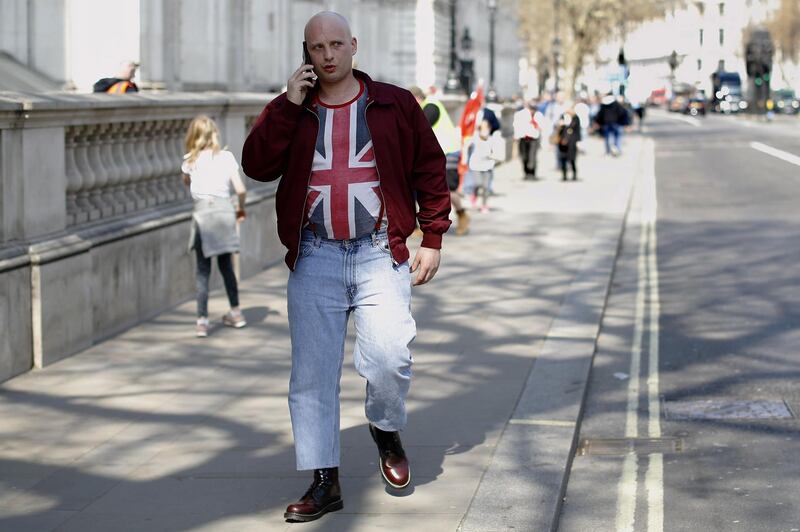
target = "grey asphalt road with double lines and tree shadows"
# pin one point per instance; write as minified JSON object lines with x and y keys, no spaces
{"x":698,"y":361}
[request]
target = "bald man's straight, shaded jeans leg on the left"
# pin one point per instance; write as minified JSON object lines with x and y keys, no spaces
{"x":318,"y":310}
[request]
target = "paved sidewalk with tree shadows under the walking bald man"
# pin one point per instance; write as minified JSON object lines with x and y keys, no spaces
{"x":157,"y":430}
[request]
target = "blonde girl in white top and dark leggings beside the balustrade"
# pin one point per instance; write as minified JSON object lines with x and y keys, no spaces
{"x":212,"y":175}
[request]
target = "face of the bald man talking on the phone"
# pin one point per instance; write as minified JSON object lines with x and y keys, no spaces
{"x":331,"y":49}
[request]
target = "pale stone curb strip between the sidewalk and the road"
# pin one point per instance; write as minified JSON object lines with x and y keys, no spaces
{"x":523,"y":487}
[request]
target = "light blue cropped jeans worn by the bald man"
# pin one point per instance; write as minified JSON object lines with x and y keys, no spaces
{"x":333,"y":279}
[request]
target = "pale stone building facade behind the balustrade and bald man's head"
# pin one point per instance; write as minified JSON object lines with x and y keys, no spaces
{"x":247,"y":45}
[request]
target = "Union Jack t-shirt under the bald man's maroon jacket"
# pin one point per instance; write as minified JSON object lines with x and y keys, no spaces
{"x":344,"y":199}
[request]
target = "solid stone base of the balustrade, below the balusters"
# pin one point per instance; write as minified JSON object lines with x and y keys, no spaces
{"x":93,"y":284}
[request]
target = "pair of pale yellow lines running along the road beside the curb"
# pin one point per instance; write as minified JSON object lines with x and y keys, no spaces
{"x":646,"y":318}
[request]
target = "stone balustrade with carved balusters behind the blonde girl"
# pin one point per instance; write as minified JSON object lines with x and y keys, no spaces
{"x":94,"y":216}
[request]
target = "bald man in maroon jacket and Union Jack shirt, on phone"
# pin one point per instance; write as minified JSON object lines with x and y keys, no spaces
{"x":352,"y":155}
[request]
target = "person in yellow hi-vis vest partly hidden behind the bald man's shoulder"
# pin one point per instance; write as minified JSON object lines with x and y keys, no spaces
{"x":448,"y":137}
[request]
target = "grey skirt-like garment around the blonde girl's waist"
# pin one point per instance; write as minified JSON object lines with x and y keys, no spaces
{"x":215,"y":219}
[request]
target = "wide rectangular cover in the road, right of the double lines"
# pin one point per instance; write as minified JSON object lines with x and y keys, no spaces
{"x":715,"y":409}
